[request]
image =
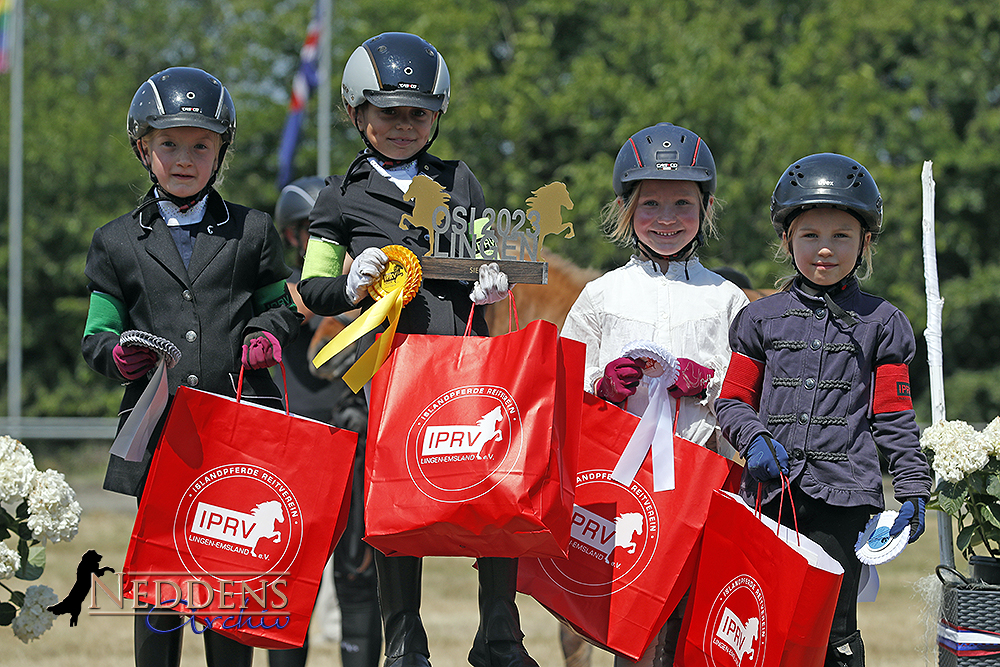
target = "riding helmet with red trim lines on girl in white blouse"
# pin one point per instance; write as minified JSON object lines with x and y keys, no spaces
{"x":671,"y":153}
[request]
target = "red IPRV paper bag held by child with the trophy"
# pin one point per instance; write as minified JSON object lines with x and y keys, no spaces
{"x":472,"y":444}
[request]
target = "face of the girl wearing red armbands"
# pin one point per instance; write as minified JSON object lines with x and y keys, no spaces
{"x":825,"y":243}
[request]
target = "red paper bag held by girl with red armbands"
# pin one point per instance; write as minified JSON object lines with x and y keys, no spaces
{"x":763,"y":596}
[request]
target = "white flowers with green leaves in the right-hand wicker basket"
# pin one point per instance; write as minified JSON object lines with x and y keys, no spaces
{"x":968,"y":464}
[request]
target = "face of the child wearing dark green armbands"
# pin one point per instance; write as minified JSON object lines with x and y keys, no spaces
{"x":182,"y":158}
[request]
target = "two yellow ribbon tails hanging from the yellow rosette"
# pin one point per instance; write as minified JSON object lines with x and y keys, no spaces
{"x":389,"y":306}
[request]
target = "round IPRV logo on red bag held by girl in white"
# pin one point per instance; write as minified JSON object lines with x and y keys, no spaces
{"x":614,"y":535}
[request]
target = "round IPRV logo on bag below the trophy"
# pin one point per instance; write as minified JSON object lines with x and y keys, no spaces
{"x":464,"y":443}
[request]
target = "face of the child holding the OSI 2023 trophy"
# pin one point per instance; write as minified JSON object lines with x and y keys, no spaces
{"x":395,"y":132}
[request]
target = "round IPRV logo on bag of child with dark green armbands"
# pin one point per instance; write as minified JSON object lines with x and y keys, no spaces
{"x":244,"y":515}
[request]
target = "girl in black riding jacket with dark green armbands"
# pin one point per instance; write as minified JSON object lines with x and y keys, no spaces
{"x":201,"y":272}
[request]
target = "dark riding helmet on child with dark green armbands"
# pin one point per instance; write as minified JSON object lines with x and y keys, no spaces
{"x":182,"y":97}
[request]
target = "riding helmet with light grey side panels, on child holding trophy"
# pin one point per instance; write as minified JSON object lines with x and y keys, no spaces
{"x":396,"y":69}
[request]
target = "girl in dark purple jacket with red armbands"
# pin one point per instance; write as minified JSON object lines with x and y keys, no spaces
{"x":818,"y":383}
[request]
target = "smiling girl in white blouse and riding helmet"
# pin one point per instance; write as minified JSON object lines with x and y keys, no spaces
{"x":664,"y":181}
